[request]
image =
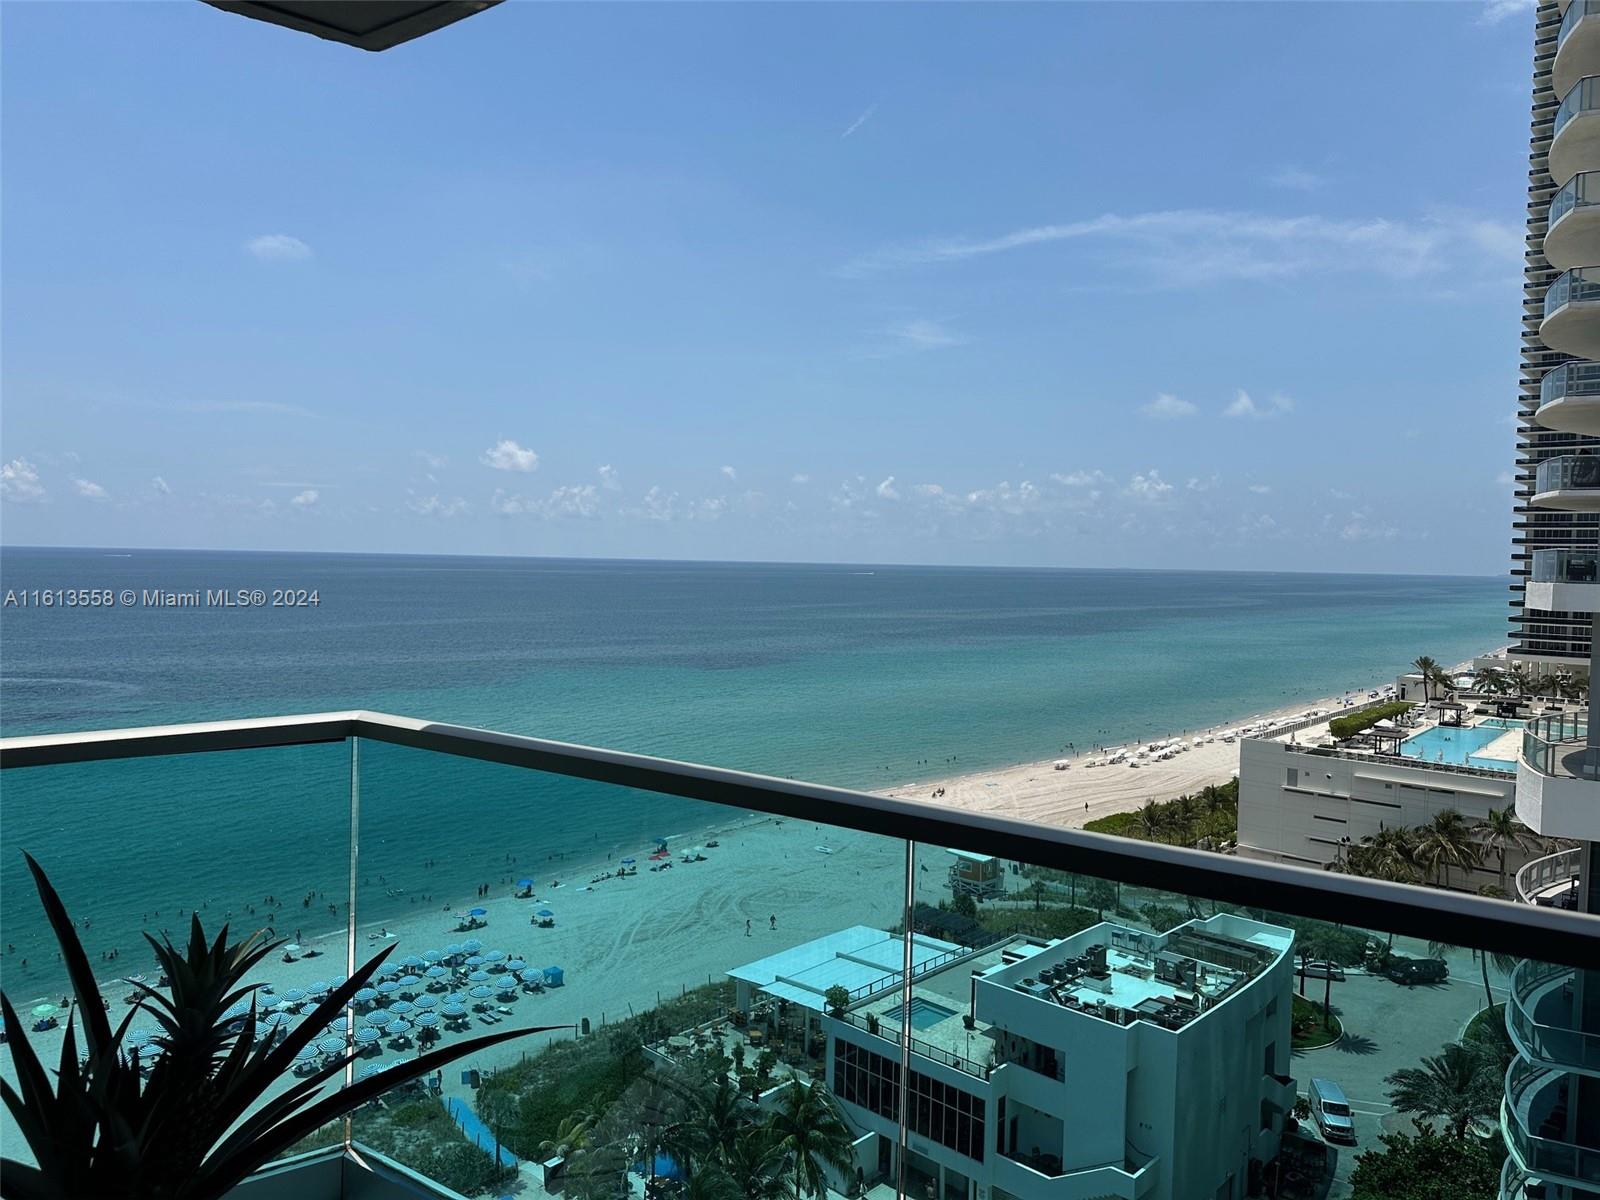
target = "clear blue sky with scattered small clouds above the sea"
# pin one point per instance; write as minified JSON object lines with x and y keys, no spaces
{"x":1084,"y":286}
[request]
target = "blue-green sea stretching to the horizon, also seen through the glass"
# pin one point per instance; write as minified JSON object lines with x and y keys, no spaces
{"x":857,"y":676}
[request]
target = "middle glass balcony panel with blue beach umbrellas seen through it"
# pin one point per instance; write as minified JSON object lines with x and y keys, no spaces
{"x":521,"y":900}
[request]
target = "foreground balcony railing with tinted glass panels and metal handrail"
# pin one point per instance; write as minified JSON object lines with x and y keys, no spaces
{"x":825,"y":954}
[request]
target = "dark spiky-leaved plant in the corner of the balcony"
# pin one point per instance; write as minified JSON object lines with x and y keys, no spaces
{"x":105,"y":1130}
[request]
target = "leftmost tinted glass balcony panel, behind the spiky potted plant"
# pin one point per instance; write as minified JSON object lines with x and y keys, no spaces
{"x":250,"y":839}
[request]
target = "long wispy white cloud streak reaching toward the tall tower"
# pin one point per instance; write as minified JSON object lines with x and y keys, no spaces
{"x":1202,"y":247}
